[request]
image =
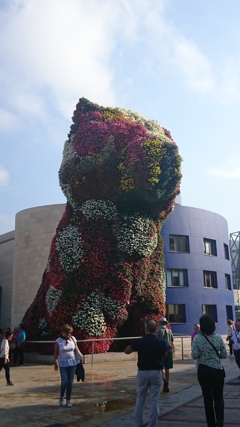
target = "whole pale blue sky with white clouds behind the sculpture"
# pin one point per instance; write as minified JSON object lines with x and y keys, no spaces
{"x":175,"y":61}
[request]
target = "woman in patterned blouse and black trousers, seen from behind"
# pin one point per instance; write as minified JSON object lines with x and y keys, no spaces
{"x":208,"y":347}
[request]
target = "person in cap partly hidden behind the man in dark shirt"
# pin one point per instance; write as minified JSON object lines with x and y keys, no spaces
{"x":166,"y":334}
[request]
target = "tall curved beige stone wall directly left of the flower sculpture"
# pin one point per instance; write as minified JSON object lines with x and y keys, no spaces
{"x":34,"y":230}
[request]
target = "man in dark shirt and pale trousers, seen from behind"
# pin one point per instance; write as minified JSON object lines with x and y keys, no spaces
{"x":151,"y":351}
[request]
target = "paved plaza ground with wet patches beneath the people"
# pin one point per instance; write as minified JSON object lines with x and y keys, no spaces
{"x":107,"y":397}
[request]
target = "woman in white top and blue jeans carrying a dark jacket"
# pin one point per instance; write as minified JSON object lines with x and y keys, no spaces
{"x":66,"y":357}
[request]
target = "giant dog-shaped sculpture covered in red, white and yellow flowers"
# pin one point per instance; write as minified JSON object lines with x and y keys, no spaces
{"x":120,"y":174}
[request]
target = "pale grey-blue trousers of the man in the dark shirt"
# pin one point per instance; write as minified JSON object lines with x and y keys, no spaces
{"x":147,"y":380}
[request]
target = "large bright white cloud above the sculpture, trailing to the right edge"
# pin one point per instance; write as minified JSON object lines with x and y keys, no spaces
{"x":53,"y":52}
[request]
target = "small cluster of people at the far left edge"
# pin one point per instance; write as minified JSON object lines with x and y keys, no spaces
{"x":11,"y":349}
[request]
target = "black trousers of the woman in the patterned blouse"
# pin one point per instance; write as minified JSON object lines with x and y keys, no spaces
{"x":212,"y":381}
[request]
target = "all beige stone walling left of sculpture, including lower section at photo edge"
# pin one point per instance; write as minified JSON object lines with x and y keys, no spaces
{"x":24,"y":259}
